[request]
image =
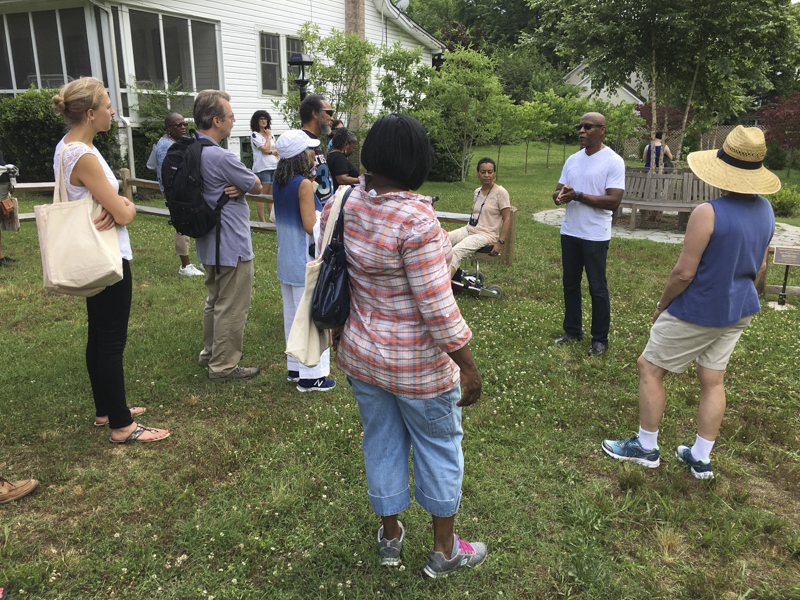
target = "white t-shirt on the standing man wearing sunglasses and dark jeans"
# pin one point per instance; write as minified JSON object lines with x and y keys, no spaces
{"x":591,"y":175}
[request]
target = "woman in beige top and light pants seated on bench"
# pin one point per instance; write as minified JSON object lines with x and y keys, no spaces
{"x":491,"y":208}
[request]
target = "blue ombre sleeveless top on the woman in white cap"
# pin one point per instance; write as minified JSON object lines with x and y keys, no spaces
{"x":293,"y":241}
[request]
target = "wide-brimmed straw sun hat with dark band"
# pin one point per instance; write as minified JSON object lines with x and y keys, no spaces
{"x":737,"y":166}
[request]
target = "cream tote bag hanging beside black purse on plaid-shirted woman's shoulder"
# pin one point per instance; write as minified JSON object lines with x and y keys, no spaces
{"x":306,"y":343}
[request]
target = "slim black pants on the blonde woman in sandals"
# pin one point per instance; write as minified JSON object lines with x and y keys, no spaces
{"x":108,"y":332}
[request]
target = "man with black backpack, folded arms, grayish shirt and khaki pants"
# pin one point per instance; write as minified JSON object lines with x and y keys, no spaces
{"x":228,"y":258}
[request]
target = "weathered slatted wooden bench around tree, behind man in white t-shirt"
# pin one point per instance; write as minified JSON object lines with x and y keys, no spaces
{"x":679,"y":191}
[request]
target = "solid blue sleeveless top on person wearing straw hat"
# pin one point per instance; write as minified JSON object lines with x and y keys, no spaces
{"x":723,"y":289}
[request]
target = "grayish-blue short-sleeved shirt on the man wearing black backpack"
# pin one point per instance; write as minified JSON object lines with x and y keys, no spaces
{"x":222,"y":168}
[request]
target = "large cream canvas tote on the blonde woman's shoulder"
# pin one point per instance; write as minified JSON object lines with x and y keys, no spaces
{"x":77,"y":259}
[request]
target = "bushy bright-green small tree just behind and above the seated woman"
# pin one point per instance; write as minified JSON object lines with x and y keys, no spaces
{"x":458,"y":109}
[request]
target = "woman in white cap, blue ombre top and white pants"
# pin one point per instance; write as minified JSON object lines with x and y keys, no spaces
{"x":296,"y":212}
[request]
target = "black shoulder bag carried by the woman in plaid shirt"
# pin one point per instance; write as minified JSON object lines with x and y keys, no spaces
{"x":330,"y":304}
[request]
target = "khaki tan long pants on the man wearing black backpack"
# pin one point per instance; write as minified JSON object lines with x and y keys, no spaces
{"x":225,"y":315}
